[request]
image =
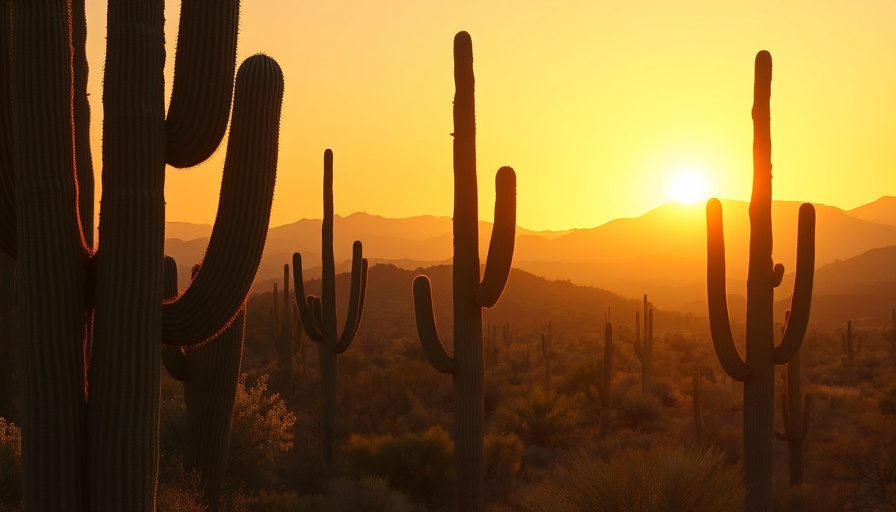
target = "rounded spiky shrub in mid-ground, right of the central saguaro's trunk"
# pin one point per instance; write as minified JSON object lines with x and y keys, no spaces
{"x":541,"y":418}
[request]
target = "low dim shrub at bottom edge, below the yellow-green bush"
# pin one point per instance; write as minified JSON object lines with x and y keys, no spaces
{"x":367,"y":495}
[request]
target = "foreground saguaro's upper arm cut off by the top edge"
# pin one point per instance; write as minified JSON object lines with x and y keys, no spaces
{"x":203,"y":80}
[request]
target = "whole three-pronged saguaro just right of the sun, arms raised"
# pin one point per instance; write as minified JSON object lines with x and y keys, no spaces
{"x":757,"y":372}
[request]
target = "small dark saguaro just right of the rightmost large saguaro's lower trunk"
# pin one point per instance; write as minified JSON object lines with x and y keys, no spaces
{"x":796,"y":419}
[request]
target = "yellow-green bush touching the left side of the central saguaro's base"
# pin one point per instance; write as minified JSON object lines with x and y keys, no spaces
{"x":422,"y":465}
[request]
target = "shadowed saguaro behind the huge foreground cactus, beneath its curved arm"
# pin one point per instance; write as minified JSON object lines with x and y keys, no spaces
{"x":209,"y":373}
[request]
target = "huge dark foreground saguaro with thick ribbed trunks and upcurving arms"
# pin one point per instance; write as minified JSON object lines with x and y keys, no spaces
{"x":90,"y":439}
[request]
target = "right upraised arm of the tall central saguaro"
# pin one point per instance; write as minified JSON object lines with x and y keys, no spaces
{"x":500,"y":249}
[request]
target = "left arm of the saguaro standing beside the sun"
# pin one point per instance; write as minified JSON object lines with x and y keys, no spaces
{"x":719,"y":324}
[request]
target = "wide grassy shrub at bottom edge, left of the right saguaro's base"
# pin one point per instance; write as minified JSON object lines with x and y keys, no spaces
{"x":661,"y":479}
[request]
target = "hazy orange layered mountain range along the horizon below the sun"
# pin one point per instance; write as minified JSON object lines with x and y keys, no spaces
{"x":662,"y":253}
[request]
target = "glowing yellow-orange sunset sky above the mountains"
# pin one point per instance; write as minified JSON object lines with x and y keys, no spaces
{"x":597,"y":105}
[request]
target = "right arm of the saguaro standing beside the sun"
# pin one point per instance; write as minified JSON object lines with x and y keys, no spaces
{"x":802,"y":288}
